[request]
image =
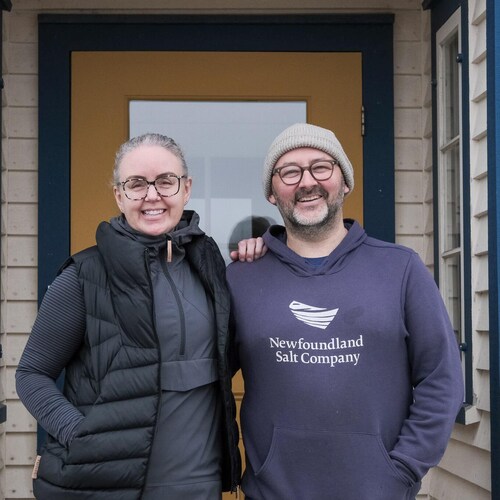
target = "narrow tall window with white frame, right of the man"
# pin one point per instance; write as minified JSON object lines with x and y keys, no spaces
{"x":453,"y":252}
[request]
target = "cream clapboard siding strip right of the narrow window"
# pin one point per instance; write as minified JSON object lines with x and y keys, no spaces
{"x":468,"y":453}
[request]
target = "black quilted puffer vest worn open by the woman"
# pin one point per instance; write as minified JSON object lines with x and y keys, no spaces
{"x":114,"y":379}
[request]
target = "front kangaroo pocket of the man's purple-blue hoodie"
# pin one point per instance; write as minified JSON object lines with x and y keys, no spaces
{"x":306,"y":464}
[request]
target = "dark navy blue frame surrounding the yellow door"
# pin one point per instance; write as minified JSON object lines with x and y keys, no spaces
{"x":60,"y":35}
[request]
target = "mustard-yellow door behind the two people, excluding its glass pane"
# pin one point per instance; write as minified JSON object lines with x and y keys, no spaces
{"x":103,"y":84}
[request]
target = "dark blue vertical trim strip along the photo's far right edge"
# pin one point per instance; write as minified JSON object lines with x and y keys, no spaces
{"x":493,"y":85}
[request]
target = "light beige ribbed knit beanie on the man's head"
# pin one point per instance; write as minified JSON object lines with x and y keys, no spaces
{"x":305,"y":135}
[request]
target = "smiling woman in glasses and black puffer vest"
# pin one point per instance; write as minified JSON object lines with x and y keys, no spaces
{"x":139,"y":323}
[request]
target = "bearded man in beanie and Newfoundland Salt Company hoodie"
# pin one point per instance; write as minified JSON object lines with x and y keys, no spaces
{"x":351,"y":367}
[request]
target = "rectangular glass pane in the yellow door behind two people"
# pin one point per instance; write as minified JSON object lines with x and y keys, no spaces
{"x":225,"y":143}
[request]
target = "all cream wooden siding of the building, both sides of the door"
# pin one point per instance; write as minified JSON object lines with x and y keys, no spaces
{"x":413,"y":169}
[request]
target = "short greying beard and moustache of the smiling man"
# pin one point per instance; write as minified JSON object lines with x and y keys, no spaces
{"x":312,"y":224}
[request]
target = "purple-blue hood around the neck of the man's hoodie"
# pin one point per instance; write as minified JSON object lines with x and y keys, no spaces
{"x":275,"y":239}
